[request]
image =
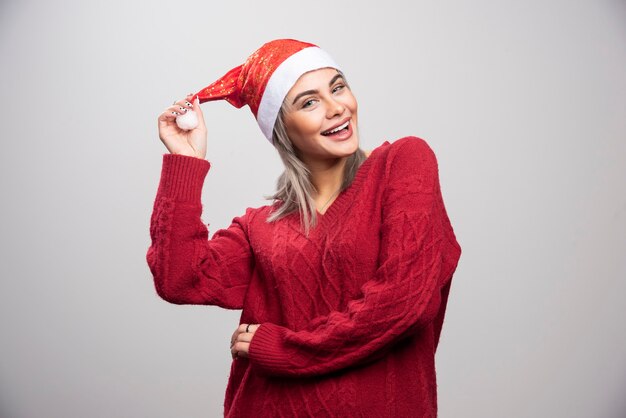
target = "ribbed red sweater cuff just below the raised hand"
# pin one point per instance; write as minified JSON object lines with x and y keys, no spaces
{"x":182,"y":177}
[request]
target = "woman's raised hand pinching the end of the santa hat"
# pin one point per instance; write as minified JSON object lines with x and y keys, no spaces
{"x":192,"y":143}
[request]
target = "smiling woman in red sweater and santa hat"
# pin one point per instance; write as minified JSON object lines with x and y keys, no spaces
{"x":343,"y":280}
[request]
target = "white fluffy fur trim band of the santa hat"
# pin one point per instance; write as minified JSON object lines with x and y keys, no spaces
{"x":283,"y":79}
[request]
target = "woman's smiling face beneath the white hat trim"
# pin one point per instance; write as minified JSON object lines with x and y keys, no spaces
{"x":320,"y":102}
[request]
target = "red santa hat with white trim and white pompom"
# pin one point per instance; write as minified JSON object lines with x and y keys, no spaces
{"x":263,"y":81}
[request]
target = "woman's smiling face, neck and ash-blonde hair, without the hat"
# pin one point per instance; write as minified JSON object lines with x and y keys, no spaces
{"x":311,"y":105}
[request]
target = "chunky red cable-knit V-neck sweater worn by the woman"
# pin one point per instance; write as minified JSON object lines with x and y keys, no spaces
{"x":350,"y":315}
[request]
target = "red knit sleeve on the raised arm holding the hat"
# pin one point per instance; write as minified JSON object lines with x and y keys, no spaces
{"x":188,"y":268}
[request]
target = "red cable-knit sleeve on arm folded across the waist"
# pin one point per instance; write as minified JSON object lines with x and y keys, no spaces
{"x":404,"y":296}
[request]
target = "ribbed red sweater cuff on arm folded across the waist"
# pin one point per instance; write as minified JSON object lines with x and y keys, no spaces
{"x":265,"y":351}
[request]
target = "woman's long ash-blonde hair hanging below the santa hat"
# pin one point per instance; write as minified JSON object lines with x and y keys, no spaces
{"x":294,"y":188}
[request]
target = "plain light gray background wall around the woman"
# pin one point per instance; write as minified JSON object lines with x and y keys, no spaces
{"x":524,"y":104}
